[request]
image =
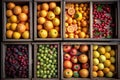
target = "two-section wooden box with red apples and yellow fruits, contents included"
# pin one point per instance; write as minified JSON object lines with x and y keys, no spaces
{"x":83,"y":55}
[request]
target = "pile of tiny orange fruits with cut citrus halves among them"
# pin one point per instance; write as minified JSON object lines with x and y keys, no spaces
{"x":77,"y":20}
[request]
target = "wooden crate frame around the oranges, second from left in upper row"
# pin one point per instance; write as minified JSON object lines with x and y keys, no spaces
{"x":36,"y":38}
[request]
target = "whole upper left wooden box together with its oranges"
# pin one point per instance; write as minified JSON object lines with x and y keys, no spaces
{"x":17,"y":22}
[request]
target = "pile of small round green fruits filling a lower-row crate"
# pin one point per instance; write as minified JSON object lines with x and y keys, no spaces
{"x":47,"y":61}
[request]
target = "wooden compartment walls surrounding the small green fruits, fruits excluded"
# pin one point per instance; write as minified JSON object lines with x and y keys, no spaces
{"x":36,"y":46}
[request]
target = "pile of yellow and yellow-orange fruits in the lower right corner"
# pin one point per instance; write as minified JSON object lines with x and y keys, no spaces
{"x":103,"y":61}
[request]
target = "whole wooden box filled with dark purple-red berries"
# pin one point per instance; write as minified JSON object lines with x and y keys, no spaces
{"x":16,"y":61}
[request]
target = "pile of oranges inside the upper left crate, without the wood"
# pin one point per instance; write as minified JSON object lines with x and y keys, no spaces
{"x":17,"y":25}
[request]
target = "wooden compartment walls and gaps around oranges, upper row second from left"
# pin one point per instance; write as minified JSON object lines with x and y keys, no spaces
{"x":36,"y":37}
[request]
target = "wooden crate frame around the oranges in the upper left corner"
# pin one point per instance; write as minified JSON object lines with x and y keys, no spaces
{"x":20,"y":2}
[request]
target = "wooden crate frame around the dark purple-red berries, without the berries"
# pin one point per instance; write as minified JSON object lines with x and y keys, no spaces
{"x":3,"y":51}
